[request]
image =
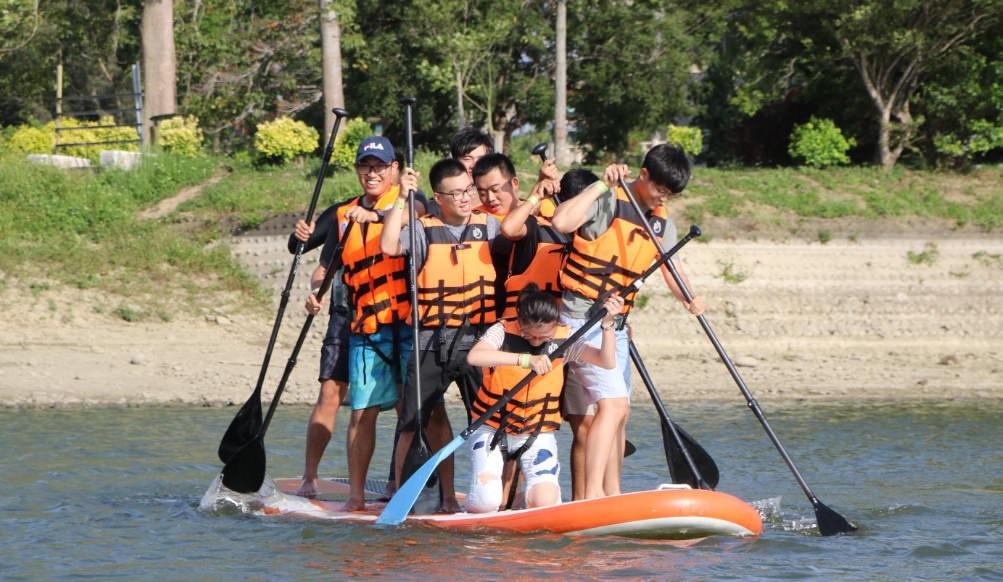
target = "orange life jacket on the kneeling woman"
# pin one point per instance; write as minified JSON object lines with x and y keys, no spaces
{"x":535,"y":409}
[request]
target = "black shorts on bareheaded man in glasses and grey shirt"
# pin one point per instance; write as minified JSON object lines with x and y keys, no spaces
{"x":440,"y":369}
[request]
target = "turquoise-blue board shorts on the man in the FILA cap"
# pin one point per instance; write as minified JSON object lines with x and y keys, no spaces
{"x":378,"y":363}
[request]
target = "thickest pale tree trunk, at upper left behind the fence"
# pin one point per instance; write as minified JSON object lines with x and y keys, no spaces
{"x":159,"y":63}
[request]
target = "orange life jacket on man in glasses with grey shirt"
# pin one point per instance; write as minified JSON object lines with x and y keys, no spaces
{"x":456,"y":284}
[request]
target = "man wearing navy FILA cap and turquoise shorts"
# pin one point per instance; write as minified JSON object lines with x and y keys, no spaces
{"x":378,"y":296}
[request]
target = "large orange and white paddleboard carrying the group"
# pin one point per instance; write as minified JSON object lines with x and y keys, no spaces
{"x":671,"y":512}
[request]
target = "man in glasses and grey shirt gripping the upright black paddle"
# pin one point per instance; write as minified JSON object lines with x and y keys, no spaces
{"x":456,"y":289}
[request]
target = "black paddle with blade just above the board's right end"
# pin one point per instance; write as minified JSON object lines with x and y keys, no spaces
{"x":688,"y":461}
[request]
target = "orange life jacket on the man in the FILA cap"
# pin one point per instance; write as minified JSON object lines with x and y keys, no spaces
{"x":378,"y":284}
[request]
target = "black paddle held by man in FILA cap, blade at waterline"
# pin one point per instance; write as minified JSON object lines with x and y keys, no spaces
{"x":245,"y":472}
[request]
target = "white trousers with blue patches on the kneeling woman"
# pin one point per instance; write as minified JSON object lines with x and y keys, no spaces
{"x":539,"y":464}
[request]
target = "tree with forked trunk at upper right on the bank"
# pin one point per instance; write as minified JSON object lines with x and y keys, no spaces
{"x":891,"y":46}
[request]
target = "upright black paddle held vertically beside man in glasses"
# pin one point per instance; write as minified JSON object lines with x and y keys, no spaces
{"x":418,"y":454}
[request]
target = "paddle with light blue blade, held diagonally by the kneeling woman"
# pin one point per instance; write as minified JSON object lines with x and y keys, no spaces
{"x":401,"y":505}
